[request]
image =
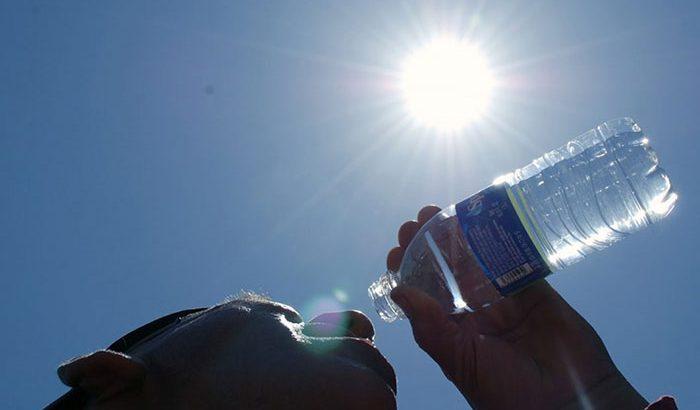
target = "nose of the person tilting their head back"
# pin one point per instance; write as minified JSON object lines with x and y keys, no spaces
{"x":351,"y":323}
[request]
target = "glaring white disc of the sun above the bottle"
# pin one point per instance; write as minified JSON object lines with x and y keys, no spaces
{"x":447,"y":84}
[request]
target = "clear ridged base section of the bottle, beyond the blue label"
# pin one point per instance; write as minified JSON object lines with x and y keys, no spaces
{"x":594,"y":191}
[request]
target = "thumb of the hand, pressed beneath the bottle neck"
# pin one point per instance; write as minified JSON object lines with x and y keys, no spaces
{"x":433,"y":329}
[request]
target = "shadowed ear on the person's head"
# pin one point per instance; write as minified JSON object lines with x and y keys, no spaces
{"x":103,"y":373}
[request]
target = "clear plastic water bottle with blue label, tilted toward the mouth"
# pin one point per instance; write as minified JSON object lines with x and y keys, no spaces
{"x":600,"y":187}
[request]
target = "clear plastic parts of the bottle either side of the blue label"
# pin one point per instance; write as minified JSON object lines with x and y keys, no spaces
{"x":595,"y":190}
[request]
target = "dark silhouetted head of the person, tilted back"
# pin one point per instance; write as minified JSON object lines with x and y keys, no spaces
{"x":249,"y":352}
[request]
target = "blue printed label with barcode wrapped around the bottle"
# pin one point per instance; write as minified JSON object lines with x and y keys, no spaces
{"x":496,"y":234}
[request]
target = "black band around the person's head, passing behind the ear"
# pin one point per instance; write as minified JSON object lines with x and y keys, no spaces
{"x":76,"y":398}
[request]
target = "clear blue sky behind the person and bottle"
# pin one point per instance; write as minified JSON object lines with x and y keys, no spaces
{"x":160,"y":156}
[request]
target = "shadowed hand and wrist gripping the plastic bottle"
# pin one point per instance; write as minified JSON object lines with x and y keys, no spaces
{"x":528,"y":351}
